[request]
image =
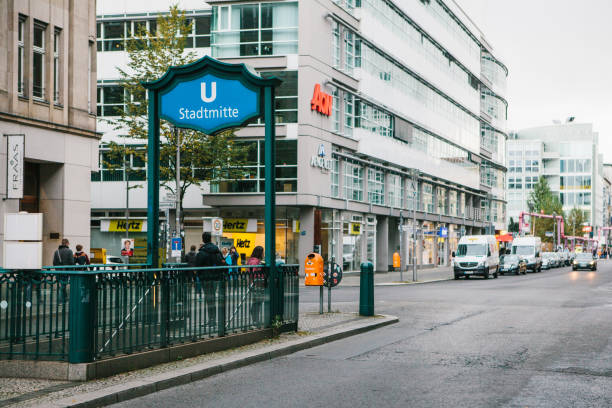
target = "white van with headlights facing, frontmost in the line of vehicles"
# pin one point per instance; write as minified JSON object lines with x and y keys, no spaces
{"x":476,"y":255}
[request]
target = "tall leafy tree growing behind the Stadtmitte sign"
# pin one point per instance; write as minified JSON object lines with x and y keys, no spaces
{"x":202,"y":157}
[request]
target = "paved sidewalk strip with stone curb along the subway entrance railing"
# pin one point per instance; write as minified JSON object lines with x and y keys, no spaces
{"x":314,"y":330}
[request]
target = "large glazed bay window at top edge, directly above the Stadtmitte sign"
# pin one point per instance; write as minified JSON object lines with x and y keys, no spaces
{"x":254,"y":29}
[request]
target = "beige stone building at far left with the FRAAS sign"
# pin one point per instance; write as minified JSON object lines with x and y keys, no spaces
{"x":47,"y":96}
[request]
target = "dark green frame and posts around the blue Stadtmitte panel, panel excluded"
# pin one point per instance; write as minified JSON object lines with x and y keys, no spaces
{"x":265,"y":107}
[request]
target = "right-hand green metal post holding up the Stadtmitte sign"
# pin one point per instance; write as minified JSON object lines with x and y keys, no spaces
{"x":270,"y":210}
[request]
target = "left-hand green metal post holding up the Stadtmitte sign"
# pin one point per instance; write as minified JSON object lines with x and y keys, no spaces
{"x":153,"y":182}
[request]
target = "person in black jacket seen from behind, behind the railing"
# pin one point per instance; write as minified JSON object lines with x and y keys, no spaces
{"x":209,"y":255}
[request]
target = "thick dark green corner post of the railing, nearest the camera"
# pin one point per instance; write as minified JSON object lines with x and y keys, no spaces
{"x":82,"y":315}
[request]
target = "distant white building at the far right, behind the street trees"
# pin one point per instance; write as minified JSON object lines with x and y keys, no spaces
{"x":567,"y":156}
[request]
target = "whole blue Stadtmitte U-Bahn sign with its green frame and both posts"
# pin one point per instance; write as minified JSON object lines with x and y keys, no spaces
{"x":210,"y":96}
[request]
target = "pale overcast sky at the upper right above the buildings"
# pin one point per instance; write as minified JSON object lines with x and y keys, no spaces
{"x":559,"y":59}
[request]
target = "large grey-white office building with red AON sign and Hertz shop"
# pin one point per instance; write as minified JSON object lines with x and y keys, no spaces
{"x":416,"y":127}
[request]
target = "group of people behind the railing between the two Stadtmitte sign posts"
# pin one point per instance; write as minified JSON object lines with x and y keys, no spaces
{"x":209,"y":255}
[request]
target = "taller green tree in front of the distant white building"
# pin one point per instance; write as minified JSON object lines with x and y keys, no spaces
{"x":542,"y":200}
